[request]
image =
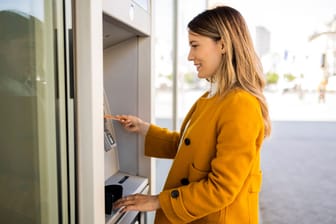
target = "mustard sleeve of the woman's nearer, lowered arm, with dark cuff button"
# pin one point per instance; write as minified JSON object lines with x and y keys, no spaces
{"x":239,"y":128}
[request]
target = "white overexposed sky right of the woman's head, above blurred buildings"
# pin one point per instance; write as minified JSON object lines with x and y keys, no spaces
{"x":291,"y":22}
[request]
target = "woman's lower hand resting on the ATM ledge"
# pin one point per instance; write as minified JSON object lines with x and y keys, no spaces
{"x":138,"y":202}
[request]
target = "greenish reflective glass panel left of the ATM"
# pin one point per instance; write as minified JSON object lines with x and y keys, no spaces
{"x":28,"y":139}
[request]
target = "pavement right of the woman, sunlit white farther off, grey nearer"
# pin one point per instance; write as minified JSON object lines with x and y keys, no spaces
{"x":298,"y":161}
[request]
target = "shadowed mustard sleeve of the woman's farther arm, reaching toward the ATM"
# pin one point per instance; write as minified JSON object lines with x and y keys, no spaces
{"x":161,"y":143}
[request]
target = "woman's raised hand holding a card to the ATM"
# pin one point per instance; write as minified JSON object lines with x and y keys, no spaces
{"x":133,"y":124}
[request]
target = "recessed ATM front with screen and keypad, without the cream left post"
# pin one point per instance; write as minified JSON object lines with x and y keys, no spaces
{"x":127,"y":69}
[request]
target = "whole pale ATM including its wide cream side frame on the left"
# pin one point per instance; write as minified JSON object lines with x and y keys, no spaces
{"x":113,"y":76}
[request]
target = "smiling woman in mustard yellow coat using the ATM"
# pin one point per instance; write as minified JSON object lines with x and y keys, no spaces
{"x":215,"y":176}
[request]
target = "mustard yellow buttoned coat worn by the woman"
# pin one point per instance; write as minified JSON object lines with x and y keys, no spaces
{"x":215,"y":176}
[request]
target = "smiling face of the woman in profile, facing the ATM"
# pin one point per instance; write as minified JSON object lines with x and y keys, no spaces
{"x":206,"y":54}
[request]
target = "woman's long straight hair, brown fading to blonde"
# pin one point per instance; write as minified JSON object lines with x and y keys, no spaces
{"x":240,"y":66}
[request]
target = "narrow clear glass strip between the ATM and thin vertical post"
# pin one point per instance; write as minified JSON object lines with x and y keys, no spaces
{"x":163,"y":70}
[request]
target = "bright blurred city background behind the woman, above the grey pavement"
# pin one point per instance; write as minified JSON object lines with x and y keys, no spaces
{"x":295,"y":41}
